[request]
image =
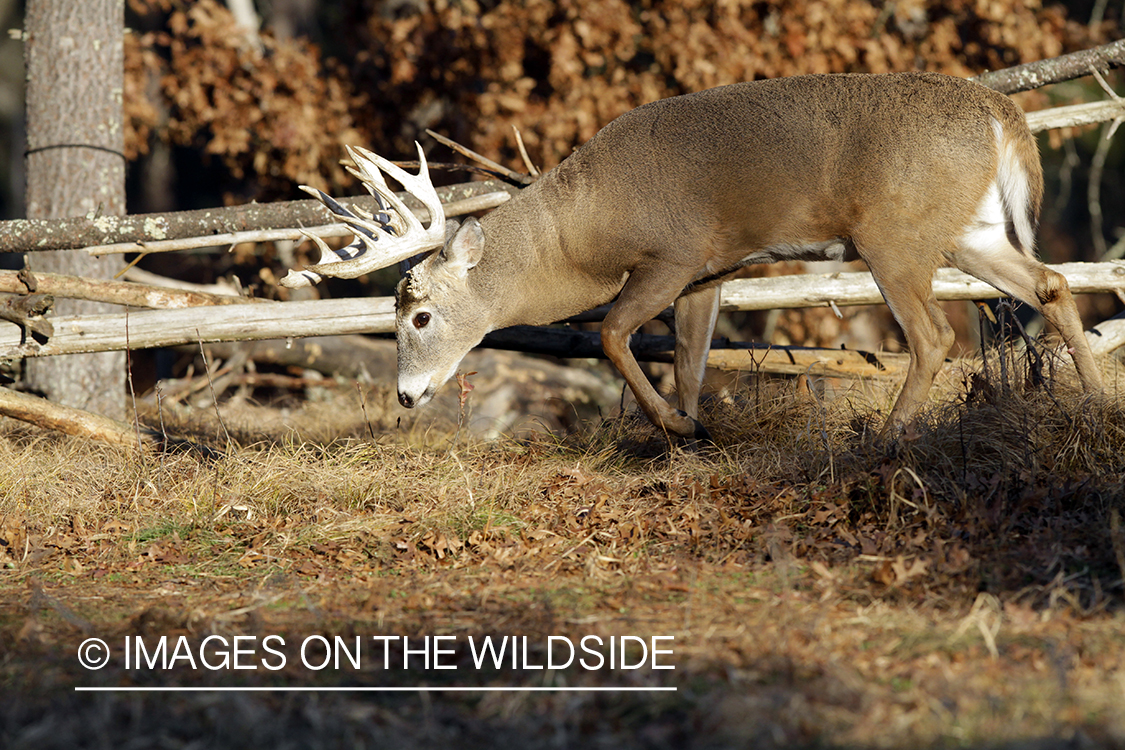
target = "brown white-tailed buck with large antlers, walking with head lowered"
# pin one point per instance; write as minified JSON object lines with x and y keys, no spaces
{"x":904,"y":171}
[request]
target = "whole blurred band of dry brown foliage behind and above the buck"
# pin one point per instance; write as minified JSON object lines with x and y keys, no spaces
{"x":557,"y":70}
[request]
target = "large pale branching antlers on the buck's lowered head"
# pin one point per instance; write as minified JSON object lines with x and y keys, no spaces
{"x":383,"y":239}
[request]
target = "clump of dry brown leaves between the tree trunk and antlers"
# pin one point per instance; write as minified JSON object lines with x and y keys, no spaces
{"x":269,"y":110}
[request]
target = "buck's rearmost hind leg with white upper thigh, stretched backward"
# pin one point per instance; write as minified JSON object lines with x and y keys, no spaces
{"x":988,"y":255}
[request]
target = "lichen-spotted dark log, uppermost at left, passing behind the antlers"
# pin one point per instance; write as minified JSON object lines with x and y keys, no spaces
{"x":29,"y":236}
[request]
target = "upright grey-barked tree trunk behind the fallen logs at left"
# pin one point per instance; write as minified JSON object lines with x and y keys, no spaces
{"x":76,"y":167}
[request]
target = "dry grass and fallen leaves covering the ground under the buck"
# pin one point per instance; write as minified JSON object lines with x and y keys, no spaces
{"x":959,"y":588}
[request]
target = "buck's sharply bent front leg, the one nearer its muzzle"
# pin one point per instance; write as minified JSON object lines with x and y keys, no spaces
{"x":644,"y":296}
